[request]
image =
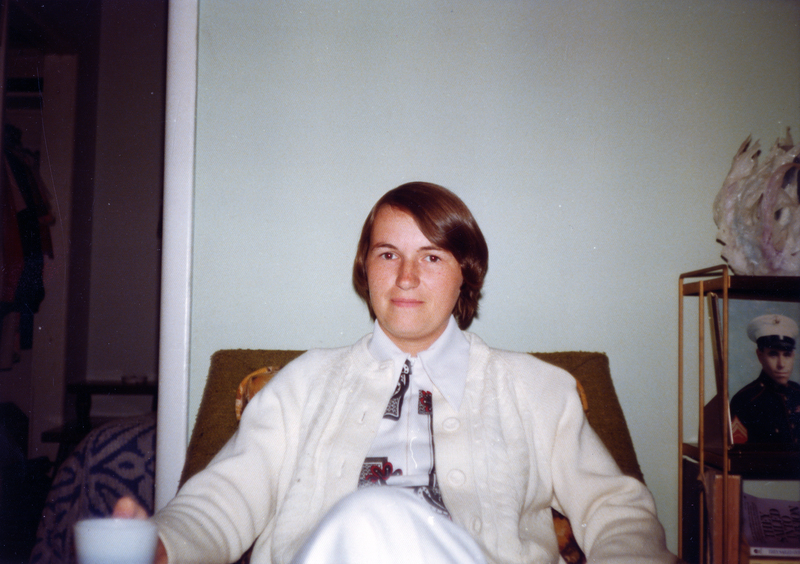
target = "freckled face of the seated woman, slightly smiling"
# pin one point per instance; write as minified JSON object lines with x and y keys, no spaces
{"x":413,"y":284}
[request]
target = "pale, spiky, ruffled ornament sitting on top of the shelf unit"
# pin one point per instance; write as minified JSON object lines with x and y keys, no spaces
{"x":757,"y":211}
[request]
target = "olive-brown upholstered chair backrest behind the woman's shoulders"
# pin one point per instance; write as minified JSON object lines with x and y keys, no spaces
{"x":216,"y":418}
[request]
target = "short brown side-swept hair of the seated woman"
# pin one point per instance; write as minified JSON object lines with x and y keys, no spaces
{"x":447,"y":223}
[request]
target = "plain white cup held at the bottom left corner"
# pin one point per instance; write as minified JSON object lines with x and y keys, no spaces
{"x":113,"y":540}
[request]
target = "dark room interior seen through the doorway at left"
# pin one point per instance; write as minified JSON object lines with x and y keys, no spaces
{"x":84,"y":111}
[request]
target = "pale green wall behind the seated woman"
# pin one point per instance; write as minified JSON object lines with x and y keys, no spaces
{"x":588,"y":137}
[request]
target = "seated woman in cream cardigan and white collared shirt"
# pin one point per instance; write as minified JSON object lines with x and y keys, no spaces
{"x":441,"y":447}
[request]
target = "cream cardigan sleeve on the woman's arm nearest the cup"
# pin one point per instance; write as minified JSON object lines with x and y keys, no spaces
{"x":220,"y":511}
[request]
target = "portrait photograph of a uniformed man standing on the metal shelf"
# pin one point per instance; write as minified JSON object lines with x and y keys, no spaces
{"x":758,"y":414}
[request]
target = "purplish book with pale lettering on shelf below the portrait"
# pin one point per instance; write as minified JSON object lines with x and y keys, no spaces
{"x":770,"y":527}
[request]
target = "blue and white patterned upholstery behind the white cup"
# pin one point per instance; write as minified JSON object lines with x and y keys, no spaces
{"x":114,"y":460}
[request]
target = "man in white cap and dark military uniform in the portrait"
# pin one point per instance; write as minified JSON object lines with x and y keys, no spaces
{"x":769,"y":406}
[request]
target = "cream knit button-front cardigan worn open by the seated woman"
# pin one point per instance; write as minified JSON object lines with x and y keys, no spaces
{"x":518,"y":445}
